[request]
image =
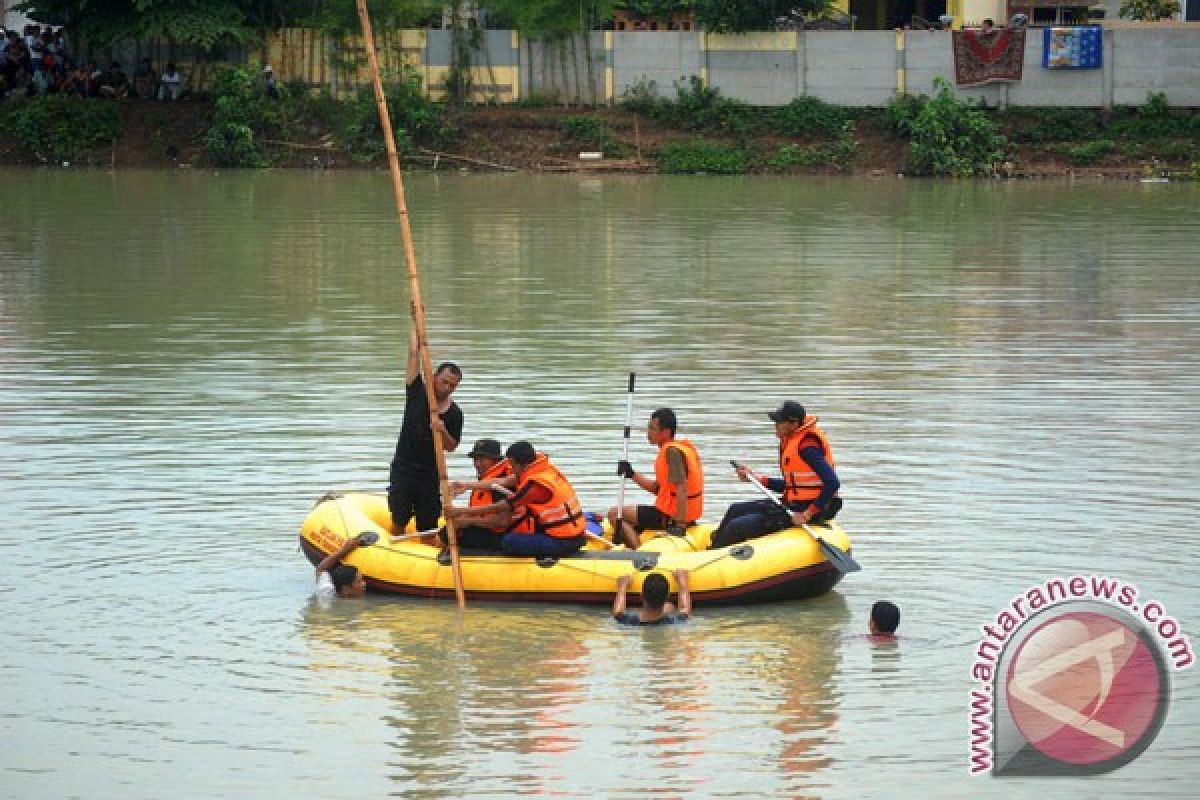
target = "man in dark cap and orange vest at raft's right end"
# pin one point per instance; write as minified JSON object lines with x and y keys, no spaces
{"x":809,"y":485}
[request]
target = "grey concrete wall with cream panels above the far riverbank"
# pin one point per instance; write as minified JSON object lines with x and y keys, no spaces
{"x":842,"y":68}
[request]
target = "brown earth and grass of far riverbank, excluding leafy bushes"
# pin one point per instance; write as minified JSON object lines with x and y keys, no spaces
{"x":1039,"y":143}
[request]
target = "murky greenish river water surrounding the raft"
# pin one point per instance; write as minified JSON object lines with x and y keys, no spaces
{"x":1010,"y":375}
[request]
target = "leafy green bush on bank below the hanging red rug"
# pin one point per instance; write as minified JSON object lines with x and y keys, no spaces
{"x":950,"y":137}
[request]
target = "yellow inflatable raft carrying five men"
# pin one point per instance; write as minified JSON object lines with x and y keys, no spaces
{"x":785,"y":566}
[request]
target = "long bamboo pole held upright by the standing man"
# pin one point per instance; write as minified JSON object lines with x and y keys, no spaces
{"x":416,"y":284}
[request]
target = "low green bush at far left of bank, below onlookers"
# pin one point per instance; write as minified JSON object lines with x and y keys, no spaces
{"x":61,"y":128}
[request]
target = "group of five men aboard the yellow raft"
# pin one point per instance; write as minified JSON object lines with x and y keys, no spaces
{"x":523,"y":504}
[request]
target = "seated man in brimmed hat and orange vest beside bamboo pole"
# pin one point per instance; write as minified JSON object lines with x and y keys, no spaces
{"x":475,"y":528}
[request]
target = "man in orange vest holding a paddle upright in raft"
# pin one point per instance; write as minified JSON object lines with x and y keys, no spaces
{"x":679,"y":485}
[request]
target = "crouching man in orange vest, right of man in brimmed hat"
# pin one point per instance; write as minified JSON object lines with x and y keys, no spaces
{"x":547,"y":512}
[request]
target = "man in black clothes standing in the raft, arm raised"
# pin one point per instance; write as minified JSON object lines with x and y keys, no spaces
{"x":415,"y":486}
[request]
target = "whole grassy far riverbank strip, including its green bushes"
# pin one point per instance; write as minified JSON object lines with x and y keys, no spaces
{"x":692,"y":130}
